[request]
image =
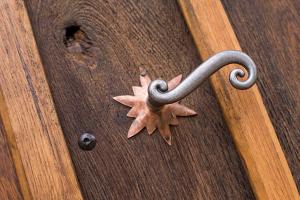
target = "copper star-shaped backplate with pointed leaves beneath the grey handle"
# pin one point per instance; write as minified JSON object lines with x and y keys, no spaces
{"x":146,"y":117}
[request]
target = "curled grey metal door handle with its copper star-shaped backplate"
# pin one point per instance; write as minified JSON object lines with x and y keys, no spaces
{"x":155,"y":104}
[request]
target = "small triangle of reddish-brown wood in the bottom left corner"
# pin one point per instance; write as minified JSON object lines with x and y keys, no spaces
{"x":9,"y":183}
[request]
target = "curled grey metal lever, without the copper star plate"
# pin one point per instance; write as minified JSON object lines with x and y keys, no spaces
{"x":158,"y":94}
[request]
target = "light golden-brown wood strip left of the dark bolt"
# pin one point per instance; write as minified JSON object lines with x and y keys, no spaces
{"x":29,"y":114}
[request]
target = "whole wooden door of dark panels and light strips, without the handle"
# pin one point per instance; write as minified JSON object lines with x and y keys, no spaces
{"x":92,"y":50}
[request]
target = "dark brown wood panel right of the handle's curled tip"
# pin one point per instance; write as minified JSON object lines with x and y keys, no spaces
{"x":270,"y":32}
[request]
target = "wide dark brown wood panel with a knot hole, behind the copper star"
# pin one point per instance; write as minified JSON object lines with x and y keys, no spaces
{"x":92,"y":51}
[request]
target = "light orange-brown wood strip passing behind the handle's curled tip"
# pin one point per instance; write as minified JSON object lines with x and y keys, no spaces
{"x":244,"y":111}
